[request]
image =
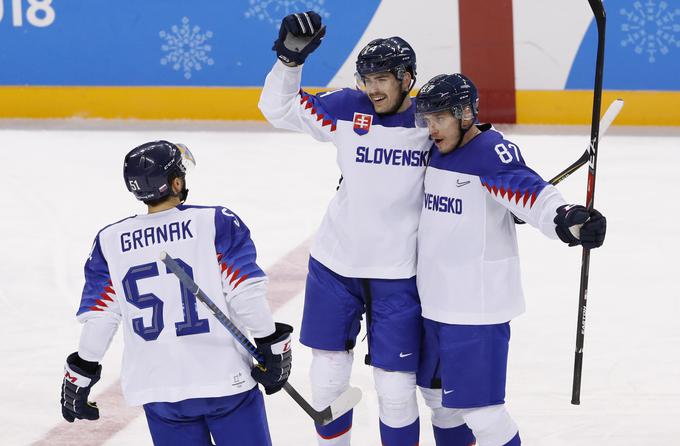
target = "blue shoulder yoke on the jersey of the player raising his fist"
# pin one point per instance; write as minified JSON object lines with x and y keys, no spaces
{"x":340,"y":105}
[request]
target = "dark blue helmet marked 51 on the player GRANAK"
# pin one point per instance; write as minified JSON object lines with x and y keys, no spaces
{"x":149,"y":169}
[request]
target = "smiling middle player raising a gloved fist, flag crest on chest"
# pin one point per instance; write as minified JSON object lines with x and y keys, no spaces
{"x":364,"y":255}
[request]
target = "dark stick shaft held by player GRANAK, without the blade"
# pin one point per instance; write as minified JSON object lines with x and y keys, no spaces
{"x":321,"y":417}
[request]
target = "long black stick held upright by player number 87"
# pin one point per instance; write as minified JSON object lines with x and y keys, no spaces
{"x":600,"y":20}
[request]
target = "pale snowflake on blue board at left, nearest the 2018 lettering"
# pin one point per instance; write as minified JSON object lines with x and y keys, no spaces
{"x":185,"y":48}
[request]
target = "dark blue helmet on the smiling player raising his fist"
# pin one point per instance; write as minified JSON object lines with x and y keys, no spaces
{"x":392,"y":54}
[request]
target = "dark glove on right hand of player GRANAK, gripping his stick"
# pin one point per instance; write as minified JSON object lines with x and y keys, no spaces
{"x":275,"y":349}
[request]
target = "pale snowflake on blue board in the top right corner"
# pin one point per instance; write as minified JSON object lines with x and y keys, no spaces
{"x":651,"y":28}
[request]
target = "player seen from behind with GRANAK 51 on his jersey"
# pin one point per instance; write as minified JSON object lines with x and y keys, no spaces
{"x":192,"y":377}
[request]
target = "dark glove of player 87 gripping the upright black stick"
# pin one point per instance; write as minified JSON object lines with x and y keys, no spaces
{"x":578,"y":226}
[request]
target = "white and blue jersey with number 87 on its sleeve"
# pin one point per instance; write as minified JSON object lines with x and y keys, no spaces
{"x":468,"y":264}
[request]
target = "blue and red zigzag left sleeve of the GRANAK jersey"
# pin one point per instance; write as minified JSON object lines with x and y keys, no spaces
{"x":98,"y":294}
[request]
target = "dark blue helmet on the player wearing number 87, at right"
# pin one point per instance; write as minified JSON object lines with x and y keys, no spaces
{"x":454,"y":92}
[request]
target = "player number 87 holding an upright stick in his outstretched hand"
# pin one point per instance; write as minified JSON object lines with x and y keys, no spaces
{"x":468,"y":264}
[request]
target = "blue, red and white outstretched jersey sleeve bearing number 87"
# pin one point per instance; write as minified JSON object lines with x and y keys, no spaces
{"x":518,"y":188}
